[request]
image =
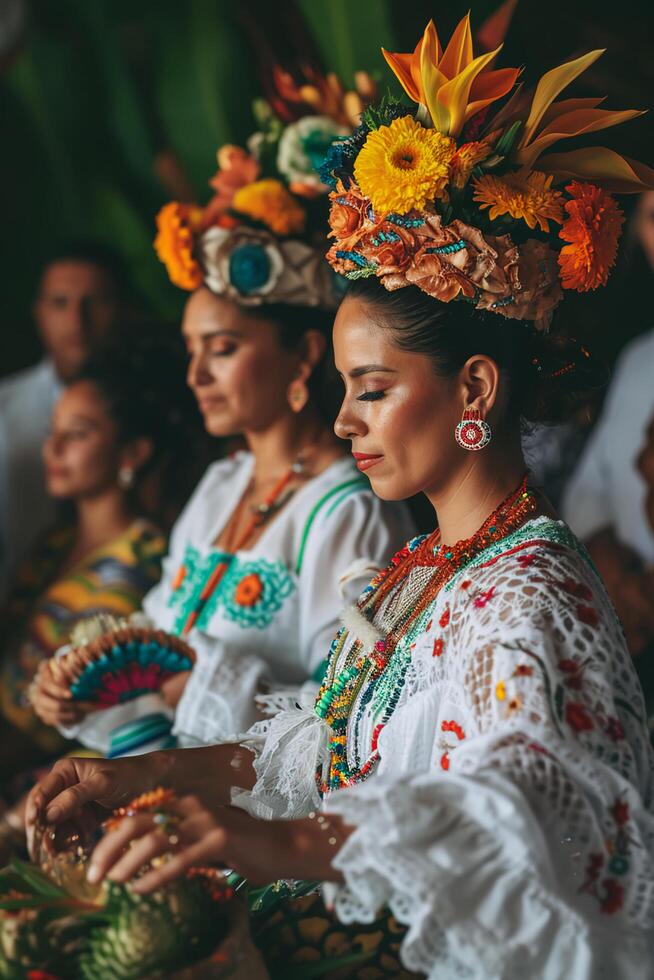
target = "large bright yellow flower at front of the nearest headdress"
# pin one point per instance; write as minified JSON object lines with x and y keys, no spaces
{"x":403,"y":166}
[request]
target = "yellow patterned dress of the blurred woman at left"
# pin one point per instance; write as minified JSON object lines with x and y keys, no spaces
{"x":46,"y":604}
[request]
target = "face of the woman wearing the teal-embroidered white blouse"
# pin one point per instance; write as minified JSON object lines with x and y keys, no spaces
{"x":238,"y":370}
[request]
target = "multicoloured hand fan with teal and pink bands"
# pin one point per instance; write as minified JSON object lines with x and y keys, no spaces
{"x":114,"y":660}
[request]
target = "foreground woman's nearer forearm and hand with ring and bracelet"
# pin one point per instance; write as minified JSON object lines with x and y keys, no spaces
{"x":259,"y":850}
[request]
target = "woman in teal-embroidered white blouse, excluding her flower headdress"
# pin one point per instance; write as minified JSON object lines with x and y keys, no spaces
{"x":269,"y":622}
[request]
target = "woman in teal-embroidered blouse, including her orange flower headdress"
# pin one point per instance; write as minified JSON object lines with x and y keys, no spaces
{"x":275,"y":535}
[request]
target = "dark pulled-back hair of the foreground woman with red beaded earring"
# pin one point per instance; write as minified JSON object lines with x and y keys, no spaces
{"x":548,"y":376}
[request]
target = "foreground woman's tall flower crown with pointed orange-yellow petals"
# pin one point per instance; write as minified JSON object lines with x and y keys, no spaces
{"x":456,"y":196}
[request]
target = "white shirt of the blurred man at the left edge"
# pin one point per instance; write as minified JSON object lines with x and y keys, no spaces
{"x":26,"y":403}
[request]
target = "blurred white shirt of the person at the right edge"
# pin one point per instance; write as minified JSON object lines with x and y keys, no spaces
{"x":606,"y":490}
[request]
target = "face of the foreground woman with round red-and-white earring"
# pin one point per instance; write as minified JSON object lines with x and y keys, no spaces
{"x":399,"y":415}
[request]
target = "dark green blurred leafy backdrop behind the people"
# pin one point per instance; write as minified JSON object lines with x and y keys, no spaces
{"x":100,"y":98}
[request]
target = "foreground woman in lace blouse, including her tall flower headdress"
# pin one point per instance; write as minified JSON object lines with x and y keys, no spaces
{"x":477,"y":761}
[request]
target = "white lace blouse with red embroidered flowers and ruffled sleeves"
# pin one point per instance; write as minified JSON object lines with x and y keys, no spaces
{"x":508,"y":820}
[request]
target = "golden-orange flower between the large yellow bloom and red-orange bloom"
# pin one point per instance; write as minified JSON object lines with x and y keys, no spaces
{"x":528,"y":197}
